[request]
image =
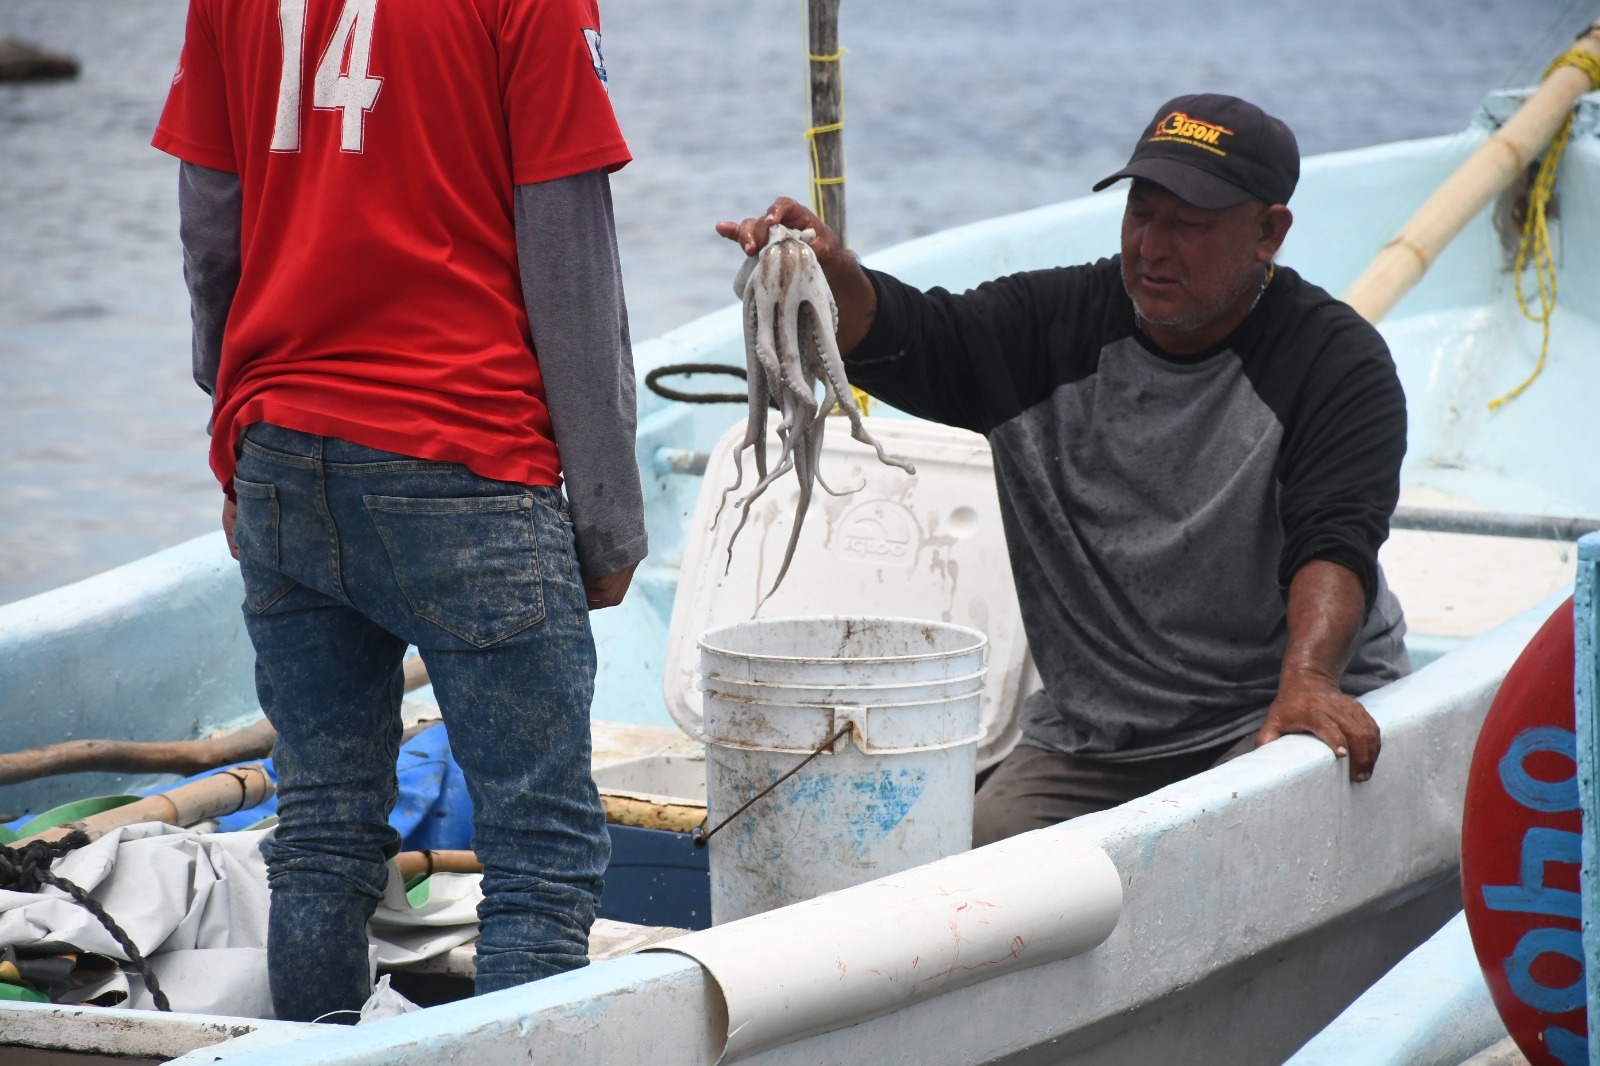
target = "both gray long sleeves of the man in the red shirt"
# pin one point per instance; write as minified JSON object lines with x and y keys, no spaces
{"x":572,"y":283}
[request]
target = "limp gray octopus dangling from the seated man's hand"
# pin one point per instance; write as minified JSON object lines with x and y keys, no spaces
{"x":790,"y":348}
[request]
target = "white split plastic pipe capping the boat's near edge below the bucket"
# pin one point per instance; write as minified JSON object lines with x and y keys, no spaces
{"x":868,"y":952}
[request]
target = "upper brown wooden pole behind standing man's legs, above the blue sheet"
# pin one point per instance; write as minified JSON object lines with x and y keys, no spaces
{"x":182,"y":758}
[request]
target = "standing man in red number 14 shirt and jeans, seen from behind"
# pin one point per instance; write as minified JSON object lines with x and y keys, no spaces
{"x":409,"y":311}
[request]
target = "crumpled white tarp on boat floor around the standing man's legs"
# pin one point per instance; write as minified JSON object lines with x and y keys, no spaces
{"x":198,"y":907}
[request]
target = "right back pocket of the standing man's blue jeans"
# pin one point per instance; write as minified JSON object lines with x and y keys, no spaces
{"x":470,"y":566}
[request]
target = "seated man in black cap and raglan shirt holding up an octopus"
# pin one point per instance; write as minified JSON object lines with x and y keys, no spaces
{"x":1198,"y":455}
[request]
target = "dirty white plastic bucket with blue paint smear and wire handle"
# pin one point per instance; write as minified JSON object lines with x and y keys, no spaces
{"x":894,"y":793}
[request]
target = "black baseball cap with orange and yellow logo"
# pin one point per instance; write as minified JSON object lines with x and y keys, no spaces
{"x":1215,"y":151}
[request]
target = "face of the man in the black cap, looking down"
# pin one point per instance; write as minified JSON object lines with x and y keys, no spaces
{"x":1188,"y":268}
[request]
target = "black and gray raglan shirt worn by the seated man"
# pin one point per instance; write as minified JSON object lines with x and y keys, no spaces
{"x":1156,"y":508}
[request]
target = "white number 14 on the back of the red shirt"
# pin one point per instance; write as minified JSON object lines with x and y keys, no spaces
{"x":342,"y":81}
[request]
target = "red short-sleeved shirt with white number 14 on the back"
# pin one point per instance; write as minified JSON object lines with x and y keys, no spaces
{"x":377,"y":146}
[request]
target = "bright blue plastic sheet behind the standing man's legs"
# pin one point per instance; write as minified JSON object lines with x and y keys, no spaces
{"x":433,"y":812}
